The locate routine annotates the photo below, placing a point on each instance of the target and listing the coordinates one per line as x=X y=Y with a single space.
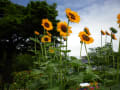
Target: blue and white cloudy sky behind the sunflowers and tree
x=97 y=15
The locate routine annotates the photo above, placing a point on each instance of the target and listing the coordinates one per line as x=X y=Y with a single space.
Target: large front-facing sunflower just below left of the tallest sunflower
x=62 y=27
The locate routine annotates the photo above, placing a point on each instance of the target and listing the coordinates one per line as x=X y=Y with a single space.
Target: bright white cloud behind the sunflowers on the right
x=95 y=17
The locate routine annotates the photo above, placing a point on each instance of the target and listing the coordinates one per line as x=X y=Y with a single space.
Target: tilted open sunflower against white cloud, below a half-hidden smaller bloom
x=85 y=38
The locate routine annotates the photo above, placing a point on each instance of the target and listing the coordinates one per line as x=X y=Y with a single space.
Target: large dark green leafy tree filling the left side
x=17 y=25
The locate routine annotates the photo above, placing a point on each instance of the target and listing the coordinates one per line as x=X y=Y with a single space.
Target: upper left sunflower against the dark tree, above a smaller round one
x=47 y=25
